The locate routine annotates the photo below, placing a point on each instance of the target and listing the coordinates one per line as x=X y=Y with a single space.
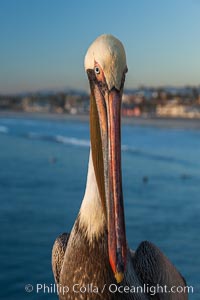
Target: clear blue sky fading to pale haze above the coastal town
x=43 y=42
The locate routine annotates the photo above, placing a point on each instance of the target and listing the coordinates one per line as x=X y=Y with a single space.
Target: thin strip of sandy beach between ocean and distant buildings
x=177 y=123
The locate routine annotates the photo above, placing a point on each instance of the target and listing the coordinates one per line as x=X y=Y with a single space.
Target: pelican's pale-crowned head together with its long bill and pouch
x=105 y=64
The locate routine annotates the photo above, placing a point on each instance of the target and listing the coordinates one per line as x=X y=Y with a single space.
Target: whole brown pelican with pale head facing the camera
x=94 y=261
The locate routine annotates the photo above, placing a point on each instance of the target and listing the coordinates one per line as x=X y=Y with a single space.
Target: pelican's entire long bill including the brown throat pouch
x=105 y=115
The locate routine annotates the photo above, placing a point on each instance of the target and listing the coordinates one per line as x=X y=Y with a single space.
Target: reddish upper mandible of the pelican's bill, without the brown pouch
x=116 y=226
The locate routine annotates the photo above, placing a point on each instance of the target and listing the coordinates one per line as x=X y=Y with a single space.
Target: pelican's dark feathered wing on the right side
x=154 y=268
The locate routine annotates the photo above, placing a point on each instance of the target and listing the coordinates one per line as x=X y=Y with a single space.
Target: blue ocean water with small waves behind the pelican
x=43 y=167
